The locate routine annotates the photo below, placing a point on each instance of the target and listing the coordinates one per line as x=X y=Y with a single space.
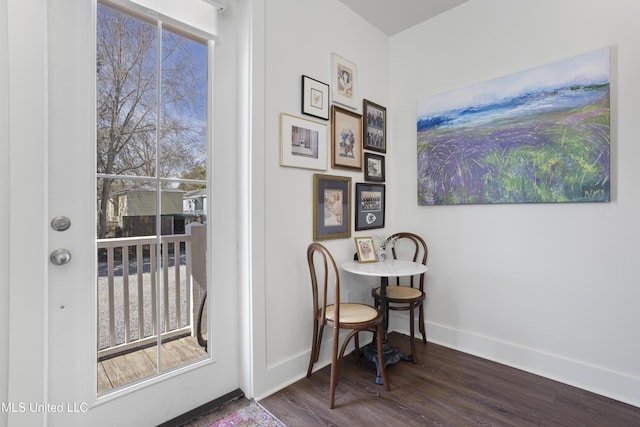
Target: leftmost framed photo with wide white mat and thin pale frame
x=303 y=143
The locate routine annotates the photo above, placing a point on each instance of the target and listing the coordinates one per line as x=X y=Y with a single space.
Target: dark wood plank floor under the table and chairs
x=448 y=388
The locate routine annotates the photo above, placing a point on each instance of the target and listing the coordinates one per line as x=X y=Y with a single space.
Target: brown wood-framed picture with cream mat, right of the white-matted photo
x=346 y=139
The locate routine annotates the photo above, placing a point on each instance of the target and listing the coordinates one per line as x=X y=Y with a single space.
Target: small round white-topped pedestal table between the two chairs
x=384 y=270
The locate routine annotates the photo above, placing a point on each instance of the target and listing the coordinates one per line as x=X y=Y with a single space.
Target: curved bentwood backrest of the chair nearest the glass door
x=324 y=272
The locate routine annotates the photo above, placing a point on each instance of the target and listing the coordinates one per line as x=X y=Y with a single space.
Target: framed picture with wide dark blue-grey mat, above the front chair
x=331 y=207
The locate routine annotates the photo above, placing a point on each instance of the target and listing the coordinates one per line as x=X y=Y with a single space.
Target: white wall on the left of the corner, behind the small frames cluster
x=299 y=39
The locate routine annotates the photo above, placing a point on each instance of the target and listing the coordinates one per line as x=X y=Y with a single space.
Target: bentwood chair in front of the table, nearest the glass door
x=325 y=282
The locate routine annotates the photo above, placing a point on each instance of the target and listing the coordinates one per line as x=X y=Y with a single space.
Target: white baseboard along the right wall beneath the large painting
x=604 y=381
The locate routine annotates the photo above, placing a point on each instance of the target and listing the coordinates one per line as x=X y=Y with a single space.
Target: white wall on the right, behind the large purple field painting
x=549 y=288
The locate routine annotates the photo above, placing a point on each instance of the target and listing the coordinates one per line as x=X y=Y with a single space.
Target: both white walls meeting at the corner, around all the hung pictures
x=548 y=288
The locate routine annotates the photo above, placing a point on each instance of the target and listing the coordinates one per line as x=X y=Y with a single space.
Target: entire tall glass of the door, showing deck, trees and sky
x=151 y=198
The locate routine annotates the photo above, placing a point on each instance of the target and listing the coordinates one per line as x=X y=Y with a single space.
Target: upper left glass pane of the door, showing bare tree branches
x=126 y=81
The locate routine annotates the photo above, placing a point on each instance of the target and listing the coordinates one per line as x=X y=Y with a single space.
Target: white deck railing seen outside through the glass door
x=130 y=314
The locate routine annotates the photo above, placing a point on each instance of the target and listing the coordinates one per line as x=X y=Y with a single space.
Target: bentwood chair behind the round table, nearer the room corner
x=408 y=295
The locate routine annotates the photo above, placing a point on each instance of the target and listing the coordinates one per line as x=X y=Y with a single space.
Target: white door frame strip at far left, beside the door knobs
x=27 y=237
